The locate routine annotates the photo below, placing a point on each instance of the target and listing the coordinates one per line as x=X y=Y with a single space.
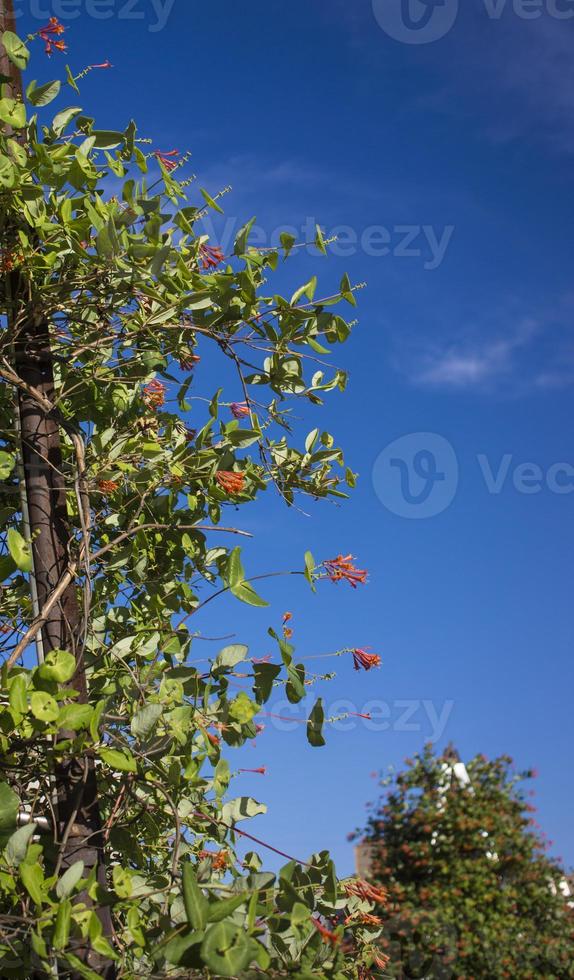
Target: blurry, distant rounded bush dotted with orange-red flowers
x=472 y=892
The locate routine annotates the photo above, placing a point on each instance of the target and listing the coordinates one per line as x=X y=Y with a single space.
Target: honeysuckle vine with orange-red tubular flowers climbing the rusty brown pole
x=107 y=247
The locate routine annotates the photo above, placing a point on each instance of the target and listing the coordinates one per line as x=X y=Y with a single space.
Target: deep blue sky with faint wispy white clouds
x=457 y=157
